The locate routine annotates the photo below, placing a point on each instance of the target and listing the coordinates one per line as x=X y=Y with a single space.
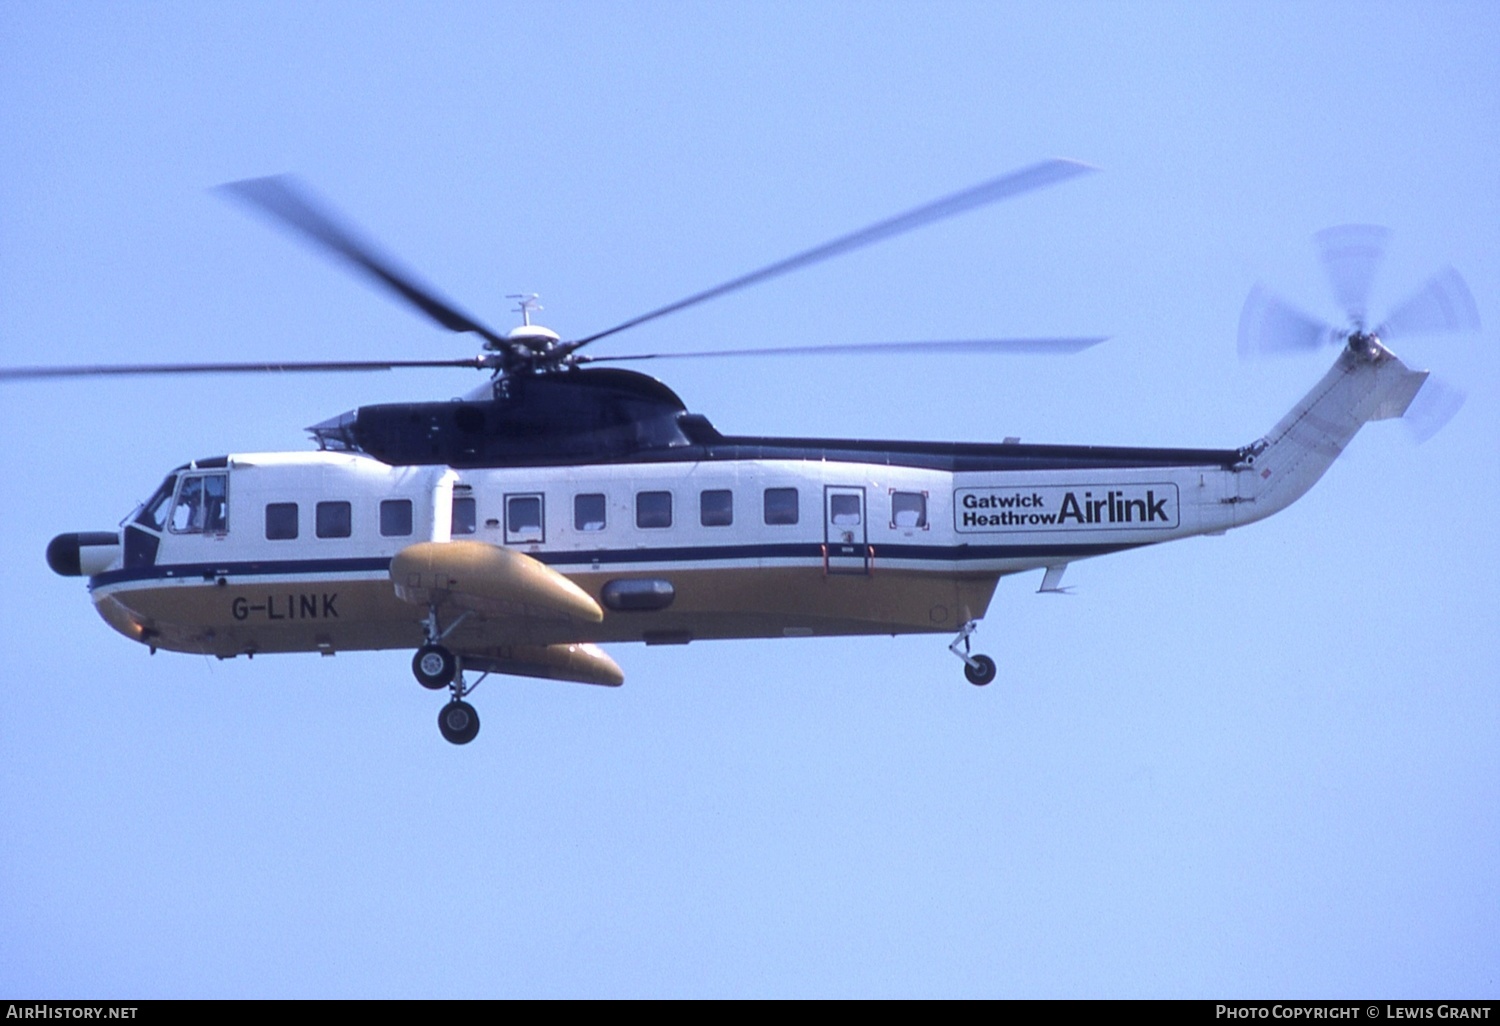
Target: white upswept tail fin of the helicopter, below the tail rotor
x=1367 y=383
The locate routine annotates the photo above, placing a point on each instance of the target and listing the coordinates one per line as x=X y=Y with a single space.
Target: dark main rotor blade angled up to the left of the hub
x=283 y=200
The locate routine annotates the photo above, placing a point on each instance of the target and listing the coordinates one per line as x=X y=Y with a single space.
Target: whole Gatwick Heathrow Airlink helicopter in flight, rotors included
x=566 y=503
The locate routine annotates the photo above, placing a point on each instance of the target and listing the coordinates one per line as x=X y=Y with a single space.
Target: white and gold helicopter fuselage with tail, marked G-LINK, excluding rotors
x=526 y=569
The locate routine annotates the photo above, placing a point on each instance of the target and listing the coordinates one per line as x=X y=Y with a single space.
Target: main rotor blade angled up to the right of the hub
x=1006 y=187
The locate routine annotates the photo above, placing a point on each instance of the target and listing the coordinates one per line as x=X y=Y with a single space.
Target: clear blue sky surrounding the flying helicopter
x=1262 y=764
